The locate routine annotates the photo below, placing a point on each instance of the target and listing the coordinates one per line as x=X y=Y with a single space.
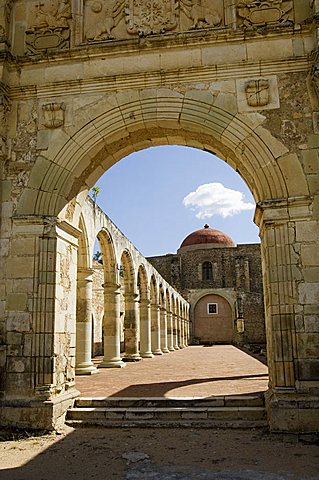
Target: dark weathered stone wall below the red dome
x=235 y=269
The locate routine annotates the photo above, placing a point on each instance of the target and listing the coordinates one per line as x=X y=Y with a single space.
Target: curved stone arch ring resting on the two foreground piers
x=75 y=161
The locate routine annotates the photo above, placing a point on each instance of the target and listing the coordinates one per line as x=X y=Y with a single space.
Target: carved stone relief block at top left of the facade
x=50 y=26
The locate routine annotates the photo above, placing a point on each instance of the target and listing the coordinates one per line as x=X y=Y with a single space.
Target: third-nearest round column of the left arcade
x=131 y=326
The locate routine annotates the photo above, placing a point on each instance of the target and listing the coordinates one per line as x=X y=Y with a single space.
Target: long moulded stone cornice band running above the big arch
x=156 y=78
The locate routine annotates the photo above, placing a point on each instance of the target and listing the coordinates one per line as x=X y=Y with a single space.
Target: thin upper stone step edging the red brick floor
x=218 y=401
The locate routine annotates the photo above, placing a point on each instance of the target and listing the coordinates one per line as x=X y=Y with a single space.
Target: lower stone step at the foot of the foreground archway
x=240 y=417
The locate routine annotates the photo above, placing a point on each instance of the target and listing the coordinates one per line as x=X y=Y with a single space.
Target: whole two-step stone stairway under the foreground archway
x=241 y=411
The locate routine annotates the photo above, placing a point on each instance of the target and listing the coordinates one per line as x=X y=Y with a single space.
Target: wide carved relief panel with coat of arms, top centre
x=125 y=18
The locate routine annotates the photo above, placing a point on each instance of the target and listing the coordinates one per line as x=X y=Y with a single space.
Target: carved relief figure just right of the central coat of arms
x=200 y=16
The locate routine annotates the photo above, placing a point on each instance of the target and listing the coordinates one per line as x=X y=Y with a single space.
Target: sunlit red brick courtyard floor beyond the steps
x=195 y=371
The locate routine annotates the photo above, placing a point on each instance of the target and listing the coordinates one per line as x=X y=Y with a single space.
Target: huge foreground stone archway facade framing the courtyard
x=69 y=125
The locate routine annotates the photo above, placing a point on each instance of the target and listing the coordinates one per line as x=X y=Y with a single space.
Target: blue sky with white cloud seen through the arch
x=159 y=195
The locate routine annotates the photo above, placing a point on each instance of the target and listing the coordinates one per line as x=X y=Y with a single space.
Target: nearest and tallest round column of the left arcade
x=83 y=350
